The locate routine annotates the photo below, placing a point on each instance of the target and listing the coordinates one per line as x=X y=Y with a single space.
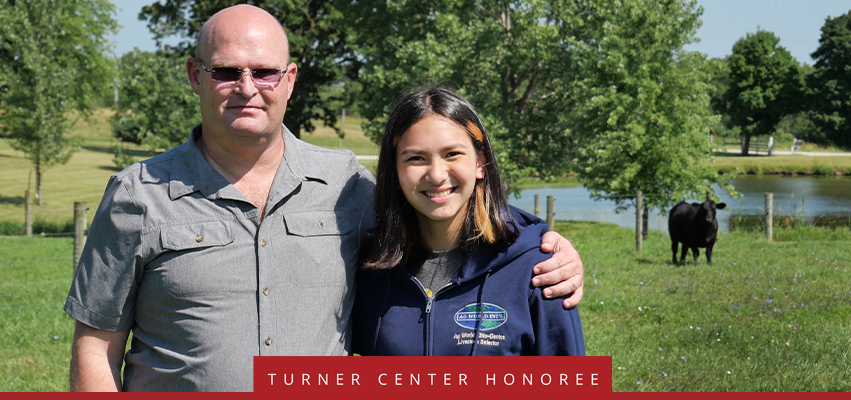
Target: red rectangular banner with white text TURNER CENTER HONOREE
x=428 y=377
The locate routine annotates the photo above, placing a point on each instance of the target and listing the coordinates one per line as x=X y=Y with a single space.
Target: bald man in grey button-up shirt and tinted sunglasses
x=243 y=241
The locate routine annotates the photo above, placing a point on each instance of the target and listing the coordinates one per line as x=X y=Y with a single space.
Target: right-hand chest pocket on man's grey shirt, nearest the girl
x=323 y=248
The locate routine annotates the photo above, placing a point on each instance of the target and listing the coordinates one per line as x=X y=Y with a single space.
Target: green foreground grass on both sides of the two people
x=765 y=317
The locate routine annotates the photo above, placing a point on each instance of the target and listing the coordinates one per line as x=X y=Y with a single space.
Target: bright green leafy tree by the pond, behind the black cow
x=641 y=112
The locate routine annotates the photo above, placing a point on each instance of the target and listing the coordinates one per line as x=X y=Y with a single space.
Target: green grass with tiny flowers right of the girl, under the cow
x=765 y=317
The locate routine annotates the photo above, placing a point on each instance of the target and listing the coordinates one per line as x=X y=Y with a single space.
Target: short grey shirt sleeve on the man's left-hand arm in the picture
x=103 y=290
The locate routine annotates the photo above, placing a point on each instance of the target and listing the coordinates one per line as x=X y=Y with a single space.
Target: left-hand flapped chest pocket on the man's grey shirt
x=199 y=258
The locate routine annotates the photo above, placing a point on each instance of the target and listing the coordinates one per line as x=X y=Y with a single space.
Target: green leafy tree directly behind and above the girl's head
x=506 y=57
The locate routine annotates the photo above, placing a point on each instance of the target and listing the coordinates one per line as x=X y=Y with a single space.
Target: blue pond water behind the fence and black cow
x=797 y=199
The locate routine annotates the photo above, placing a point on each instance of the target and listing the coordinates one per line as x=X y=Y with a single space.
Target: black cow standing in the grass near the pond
x=694 y=225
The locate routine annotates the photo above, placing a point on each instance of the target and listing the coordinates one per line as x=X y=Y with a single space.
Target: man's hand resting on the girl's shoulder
x=564 y=271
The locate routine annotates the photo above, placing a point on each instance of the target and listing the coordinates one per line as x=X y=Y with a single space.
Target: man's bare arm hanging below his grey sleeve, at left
x=96 y=359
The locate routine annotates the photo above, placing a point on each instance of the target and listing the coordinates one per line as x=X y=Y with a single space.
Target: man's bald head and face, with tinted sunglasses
x=241 y=111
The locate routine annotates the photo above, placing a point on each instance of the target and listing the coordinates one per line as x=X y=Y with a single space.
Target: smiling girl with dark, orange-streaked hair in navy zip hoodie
x=449 y=271
